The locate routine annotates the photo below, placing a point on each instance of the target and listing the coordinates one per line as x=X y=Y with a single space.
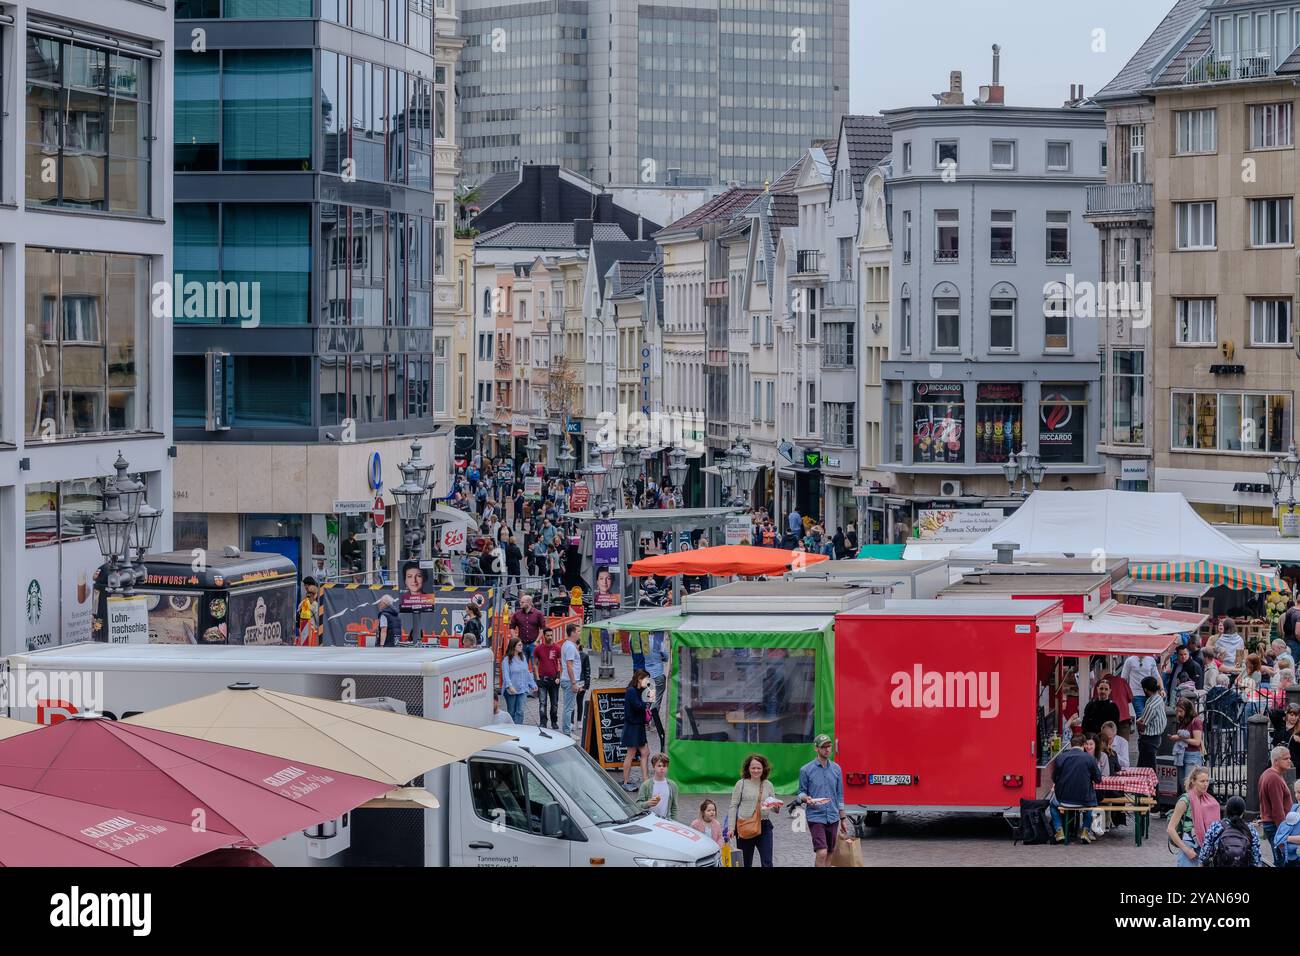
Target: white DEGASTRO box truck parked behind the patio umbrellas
x=539 y=801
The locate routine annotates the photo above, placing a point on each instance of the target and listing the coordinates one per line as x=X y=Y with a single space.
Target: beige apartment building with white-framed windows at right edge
x=1223 y=343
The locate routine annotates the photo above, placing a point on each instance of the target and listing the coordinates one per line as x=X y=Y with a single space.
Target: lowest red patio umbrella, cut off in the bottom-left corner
x=42 y=830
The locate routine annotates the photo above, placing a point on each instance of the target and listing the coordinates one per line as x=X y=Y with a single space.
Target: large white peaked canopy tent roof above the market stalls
x=1139 y=526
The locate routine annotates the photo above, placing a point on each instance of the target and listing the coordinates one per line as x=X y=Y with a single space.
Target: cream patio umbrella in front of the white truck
x=378 y=745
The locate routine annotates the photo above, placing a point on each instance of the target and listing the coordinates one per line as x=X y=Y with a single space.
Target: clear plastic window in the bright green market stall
x=747 y=695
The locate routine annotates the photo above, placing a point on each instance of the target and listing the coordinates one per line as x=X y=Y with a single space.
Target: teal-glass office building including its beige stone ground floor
x=309 y=246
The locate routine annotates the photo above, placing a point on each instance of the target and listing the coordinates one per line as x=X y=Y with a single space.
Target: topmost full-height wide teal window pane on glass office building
x=267 y=111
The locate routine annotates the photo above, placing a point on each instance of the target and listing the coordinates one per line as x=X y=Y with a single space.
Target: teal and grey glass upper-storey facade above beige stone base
x=266 y=128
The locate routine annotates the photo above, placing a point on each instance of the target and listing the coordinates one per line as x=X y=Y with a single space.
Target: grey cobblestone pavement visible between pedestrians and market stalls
x=922 y=840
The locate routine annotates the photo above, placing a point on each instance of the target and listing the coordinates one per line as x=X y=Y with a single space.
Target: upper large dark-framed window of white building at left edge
x=89 y=129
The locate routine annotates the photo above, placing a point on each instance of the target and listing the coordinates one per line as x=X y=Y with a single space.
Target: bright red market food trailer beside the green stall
x=951 y=704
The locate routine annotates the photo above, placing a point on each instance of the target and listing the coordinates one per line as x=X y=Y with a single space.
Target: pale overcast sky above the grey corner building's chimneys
x=902 y=51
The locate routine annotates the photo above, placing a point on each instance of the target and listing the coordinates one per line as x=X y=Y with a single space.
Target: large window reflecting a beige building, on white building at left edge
x=88 y=340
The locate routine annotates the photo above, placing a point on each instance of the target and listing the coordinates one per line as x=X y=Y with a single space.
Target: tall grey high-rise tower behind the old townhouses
x=708 y=92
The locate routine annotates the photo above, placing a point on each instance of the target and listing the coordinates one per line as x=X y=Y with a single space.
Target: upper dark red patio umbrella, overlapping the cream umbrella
x=249 y=798
